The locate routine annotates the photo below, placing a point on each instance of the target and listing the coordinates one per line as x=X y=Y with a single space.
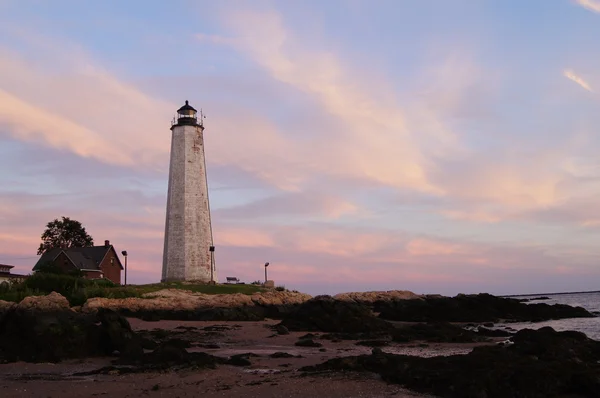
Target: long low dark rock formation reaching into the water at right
x=476 y=308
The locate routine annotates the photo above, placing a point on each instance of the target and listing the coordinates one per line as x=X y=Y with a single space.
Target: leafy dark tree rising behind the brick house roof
x=64 y=233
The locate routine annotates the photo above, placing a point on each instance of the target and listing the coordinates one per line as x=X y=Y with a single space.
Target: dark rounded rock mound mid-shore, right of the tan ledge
x=323 y=313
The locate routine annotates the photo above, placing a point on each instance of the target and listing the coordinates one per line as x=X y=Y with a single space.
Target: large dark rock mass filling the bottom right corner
x=541 y=363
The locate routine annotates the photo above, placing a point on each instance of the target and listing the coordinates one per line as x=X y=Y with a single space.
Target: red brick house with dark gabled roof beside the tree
x=95 y=262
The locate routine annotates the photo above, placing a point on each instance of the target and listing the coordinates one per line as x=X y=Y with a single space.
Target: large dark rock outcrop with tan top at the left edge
x=43 y=329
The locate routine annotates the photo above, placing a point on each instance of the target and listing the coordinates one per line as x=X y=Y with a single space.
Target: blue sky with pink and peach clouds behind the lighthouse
x=426 y=145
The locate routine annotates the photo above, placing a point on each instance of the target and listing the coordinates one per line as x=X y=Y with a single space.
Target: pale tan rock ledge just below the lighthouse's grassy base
x=186 y=305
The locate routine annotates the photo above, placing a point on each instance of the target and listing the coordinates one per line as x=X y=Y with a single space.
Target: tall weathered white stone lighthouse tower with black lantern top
x=188 y=252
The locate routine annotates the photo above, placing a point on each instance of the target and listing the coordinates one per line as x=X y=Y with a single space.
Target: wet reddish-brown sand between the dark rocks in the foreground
x=266 y=377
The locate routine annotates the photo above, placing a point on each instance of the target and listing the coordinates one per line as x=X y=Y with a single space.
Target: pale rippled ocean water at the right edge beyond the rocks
x=590 y=301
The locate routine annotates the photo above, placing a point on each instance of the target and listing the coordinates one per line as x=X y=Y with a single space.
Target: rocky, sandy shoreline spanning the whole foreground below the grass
x=371 y=344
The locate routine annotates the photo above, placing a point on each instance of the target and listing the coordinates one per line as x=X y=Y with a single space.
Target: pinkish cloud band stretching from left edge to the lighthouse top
x=85 y=110
